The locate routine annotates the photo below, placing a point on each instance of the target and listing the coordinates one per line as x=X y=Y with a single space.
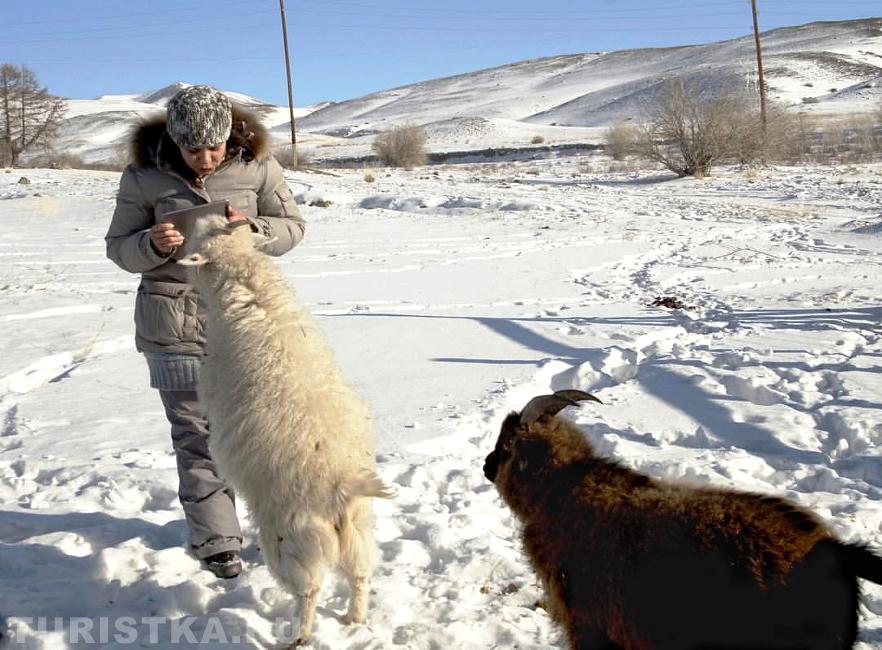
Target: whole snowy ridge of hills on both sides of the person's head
x=825 y=67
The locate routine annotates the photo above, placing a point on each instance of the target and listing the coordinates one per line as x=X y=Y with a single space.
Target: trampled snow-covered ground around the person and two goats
x=451 y=296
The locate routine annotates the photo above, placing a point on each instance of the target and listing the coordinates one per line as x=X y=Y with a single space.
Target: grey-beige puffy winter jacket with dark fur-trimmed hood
x=168 y=313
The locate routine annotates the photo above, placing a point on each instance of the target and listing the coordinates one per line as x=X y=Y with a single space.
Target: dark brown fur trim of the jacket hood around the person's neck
x=150 y=145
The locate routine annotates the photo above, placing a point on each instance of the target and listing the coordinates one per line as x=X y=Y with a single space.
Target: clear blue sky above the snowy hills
x=346 y=48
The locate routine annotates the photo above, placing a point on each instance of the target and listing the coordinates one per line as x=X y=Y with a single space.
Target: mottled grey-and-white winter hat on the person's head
x=199 y=116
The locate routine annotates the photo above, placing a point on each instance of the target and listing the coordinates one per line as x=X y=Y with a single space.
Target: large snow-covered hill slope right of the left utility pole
x=590 y=90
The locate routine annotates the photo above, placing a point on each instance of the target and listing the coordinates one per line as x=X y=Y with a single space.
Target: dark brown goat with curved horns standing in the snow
x=628 y=561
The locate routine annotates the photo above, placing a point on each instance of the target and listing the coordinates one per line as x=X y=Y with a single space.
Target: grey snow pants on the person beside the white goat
x=208 y=503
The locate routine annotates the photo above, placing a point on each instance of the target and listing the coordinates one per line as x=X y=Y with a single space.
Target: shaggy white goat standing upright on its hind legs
x=287 y=432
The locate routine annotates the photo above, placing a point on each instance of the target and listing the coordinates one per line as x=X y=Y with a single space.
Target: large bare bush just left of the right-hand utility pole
x=689 y=130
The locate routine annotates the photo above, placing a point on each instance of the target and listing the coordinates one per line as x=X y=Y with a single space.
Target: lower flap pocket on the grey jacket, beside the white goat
x=160 y=312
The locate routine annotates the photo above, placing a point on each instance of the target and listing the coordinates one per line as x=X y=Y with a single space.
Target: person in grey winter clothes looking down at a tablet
x=204 y=149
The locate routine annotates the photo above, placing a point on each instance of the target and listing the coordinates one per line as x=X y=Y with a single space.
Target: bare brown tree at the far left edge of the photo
x=29 y=115
